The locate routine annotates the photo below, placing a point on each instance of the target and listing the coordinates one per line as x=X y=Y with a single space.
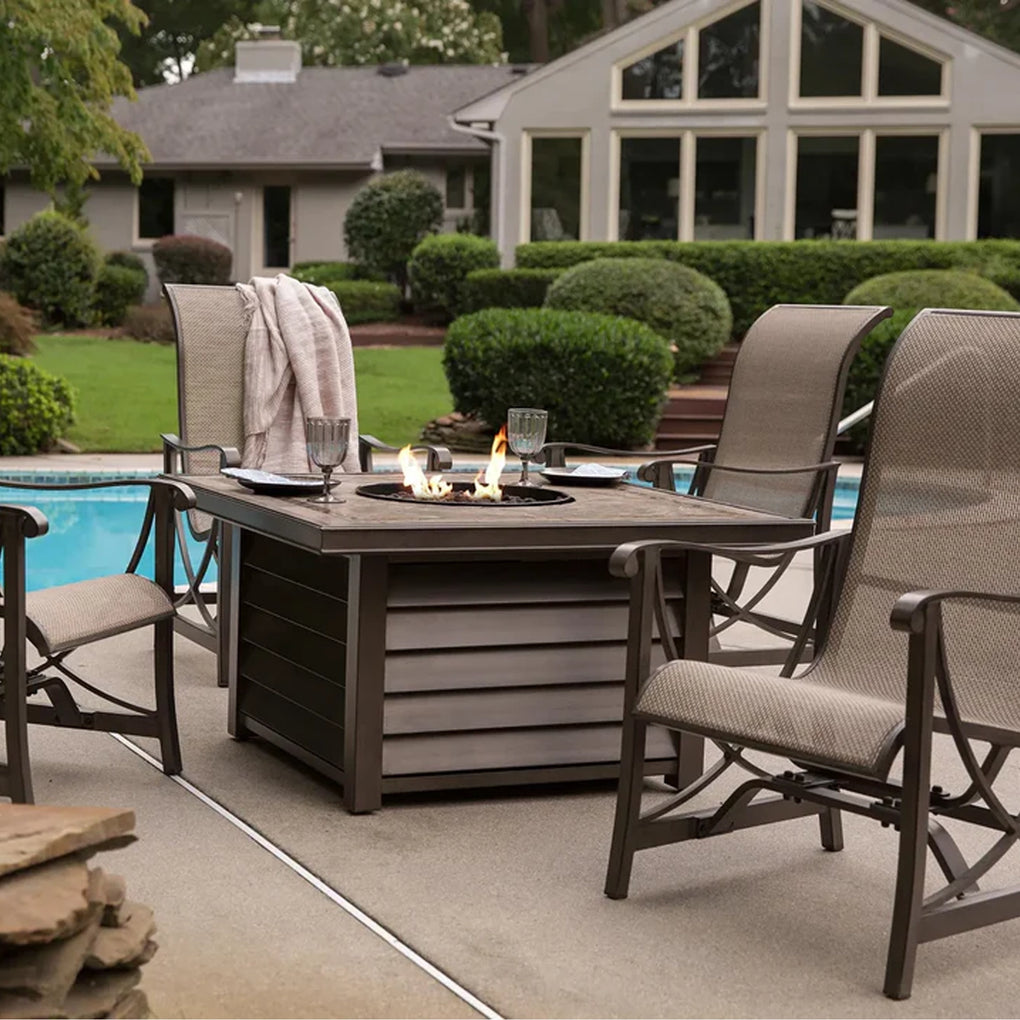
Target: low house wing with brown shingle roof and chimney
x=267 y=157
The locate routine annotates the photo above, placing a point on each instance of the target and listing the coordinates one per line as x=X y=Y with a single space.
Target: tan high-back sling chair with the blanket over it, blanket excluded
x=211 y=334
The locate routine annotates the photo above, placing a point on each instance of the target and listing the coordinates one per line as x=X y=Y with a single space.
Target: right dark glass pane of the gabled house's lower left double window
x=725 y=189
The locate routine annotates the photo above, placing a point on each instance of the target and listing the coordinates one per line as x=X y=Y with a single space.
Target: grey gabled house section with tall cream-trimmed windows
x=769 y=120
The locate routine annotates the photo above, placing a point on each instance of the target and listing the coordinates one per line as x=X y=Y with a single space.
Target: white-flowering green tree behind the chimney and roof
x=369 y=32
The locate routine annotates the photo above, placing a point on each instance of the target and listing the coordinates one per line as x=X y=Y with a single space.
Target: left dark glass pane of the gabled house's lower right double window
x=827 y=187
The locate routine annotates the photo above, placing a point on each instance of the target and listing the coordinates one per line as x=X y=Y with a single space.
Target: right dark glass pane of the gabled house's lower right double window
x=906 y=185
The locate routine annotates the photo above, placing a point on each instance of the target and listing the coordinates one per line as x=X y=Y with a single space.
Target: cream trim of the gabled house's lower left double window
x=687 y=171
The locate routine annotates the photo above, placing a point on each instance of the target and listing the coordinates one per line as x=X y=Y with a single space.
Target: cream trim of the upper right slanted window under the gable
x=869 y=97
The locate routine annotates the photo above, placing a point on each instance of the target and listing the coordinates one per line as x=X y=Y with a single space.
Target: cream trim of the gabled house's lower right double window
x=868 y=148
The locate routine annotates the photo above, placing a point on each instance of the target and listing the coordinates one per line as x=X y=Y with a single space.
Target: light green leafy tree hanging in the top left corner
x=60 y=73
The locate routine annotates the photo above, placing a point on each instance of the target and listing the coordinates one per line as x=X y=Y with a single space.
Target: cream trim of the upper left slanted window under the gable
x=690 y=100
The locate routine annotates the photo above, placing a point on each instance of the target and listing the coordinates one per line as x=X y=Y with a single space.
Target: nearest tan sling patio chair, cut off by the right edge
x=926 y=639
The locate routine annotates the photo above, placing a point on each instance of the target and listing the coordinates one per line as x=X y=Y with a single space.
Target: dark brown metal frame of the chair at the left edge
x=19 y=683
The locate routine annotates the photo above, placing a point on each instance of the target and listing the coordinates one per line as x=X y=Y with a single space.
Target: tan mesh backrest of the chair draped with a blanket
x=211 y=329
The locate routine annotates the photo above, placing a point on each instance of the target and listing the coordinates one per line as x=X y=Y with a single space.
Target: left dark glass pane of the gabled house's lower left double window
x=650 y=189
